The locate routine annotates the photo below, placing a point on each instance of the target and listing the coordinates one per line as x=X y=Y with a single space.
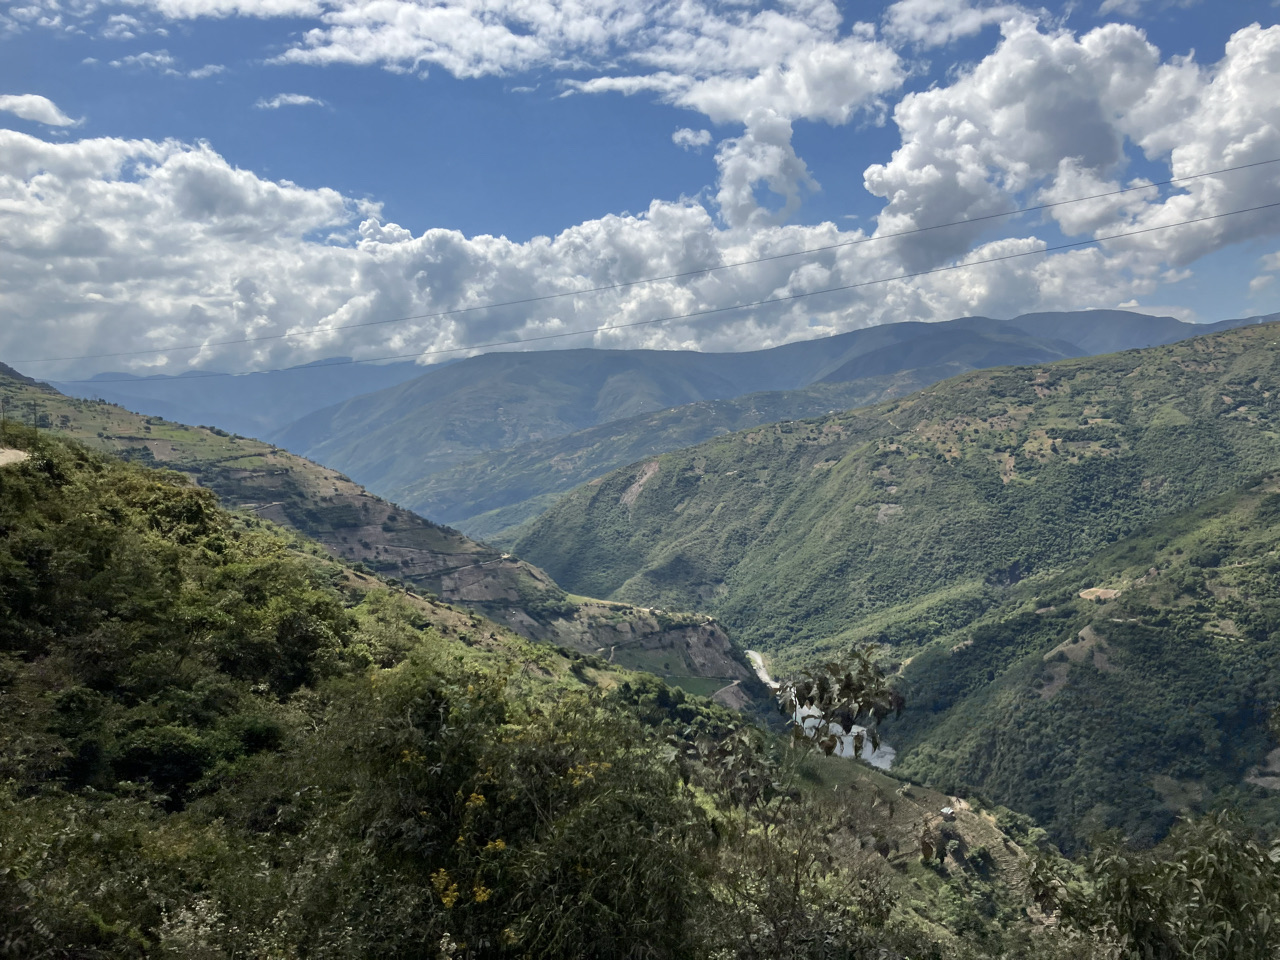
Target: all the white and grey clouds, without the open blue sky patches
x=122 y=246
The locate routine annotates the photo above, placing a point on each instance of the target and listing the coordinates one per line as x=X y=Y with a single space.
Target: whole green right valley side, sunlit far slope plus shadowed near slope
x=958 y=528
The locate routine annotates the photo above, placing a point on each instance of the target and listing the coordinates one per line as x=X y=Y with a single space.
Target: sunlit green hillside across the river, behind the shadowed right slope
x=801 y=532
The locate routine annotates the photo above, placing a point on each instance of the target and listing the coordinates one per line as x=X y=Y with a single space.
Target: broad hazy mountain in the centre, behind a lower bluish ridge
x=397 y=437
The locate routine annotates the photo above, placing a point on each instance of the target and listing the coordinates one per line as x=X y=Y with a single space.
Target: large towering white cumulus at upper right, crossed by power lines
x=1046 y=117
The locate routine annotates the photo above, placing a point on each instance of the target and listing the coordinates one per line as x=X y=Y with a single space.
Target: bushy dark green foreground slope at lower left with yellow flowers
x=217 y=740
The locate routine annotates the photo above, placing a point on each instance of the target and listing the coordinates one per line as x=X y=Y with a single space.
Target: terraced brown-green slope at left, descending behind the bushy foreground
x=353 y=524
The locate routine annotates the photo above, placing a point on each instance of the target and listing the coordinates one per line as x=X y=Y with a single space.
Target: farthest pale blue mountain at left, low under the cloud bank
x=254 y=405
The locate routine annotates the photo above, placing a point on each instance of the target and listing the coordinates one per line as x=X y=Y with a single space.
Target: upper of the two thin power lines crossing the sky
x=624 y=285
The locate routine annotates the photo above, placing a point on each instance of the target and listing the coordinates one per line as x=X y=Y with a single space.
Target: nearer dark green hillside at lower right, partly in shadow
x=1123 y=692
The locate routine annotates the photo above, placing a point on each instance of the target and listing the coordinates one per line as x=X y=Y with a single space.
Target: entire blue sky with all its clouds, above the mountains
x=181 y=173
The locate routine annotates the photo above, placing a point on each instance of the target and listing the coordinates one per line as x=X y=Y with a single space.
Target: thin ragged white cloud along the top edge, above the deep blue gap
x=721 y=58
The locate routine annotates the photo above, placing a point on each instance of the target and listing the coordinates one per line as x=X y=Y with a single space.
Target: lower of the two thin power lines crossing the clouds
x=711 y=312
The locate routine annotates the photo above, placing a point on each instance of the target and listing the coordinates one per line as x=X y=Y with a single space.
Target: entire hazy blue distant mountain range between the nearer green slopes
x=486 y=444
